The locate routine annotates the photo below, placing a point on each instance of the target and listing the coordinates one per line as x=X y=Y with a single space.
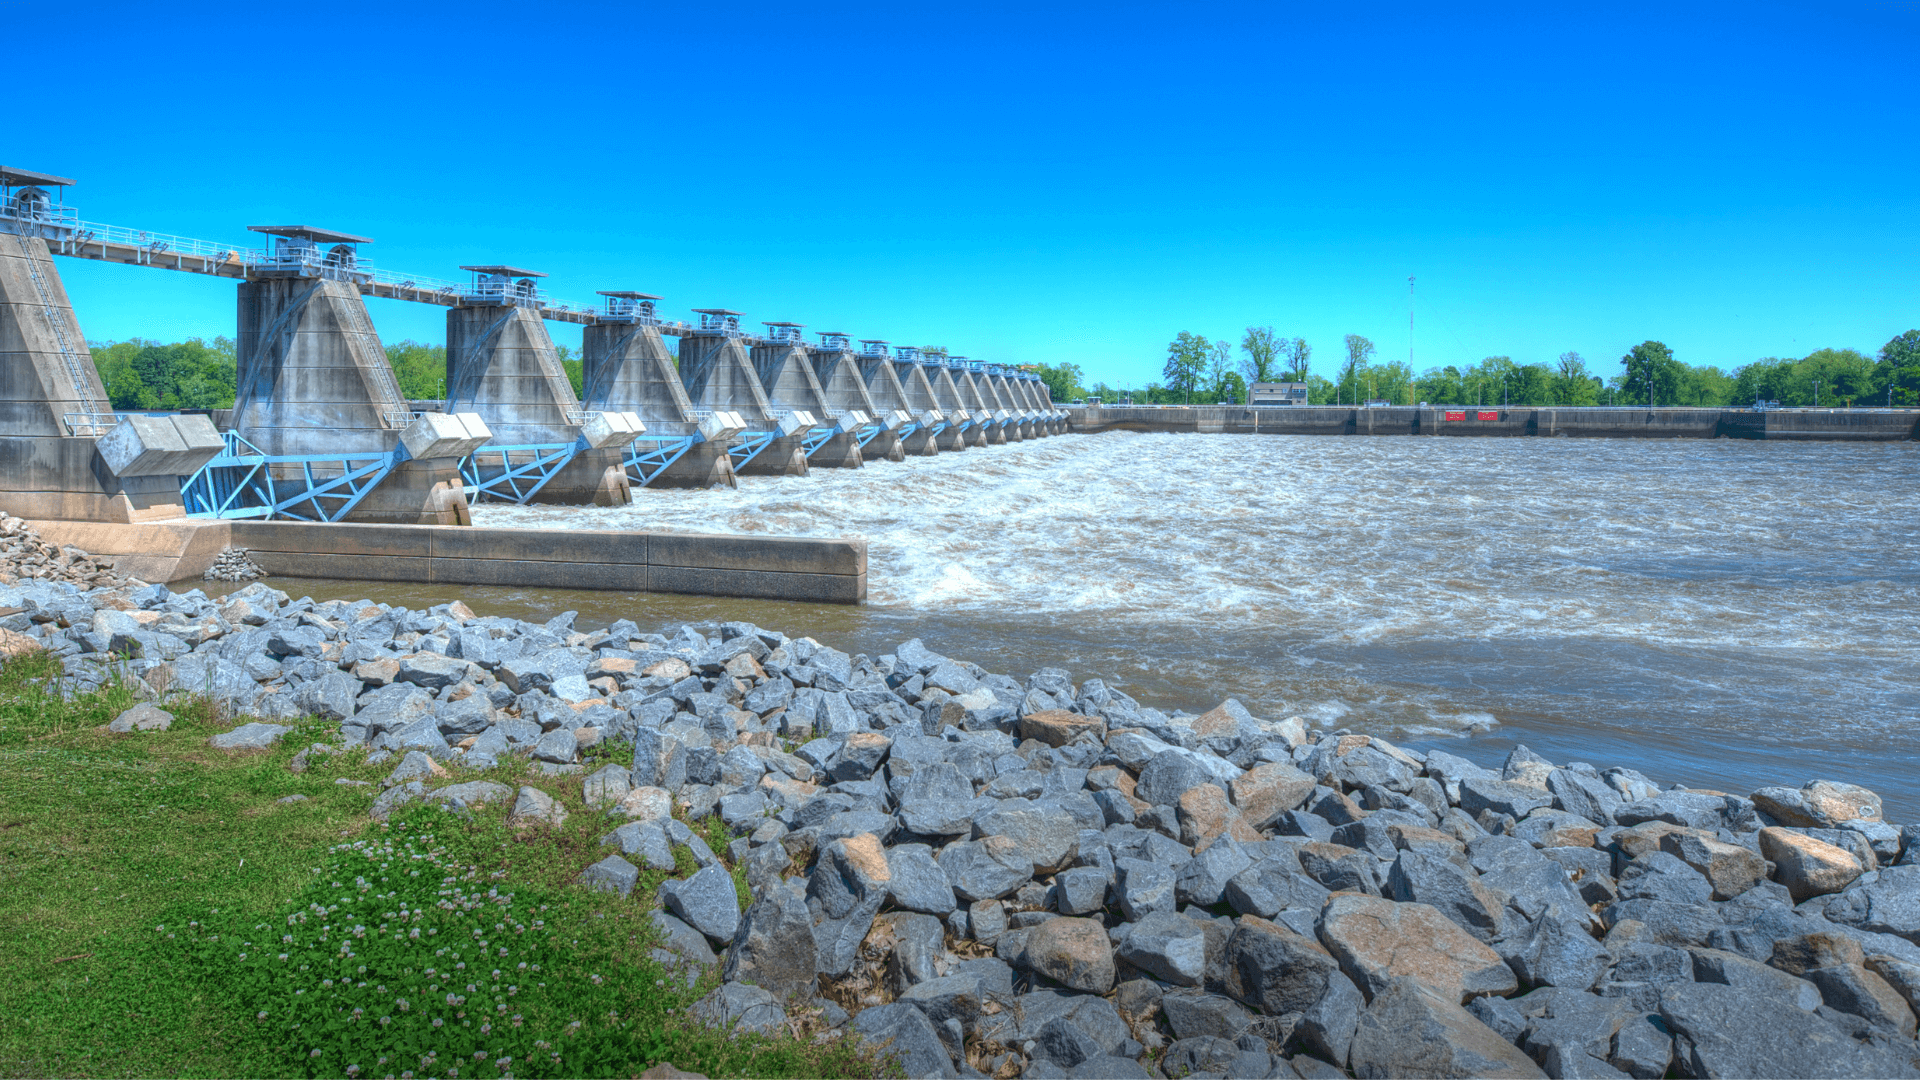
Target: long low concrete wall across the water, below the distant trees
x=1614 y=422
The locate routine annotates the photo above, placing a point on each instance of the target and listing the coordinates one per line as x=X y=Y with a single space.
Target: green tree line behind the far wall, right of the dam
x=1212 y=372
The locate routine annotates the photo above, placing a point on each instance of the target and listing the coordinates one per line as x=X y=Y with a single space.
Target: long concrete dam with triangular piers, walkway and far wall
x=322 y=435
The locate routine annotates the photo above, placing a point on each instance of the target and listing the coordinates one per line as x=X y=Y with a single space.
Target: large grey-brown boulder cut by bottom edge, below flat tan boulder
x=1412 y=1029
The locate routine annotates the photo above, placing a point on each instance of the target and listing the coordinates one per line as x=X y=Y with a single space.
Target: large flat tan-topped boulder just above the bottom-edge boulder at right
x=1380 y=941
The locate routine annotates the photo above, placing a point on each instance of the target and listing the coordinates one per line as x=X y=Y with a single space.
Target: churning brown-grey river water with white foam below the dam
x=1721 y=614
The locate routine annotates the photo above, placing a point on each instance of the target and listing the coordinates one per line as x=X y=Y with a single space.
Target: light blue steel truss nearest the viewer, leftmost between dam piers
x=304 y=487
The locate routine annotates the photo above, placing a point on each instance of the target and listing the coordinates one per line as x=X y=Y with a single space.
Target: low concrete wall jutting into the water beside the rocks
x=765 y=568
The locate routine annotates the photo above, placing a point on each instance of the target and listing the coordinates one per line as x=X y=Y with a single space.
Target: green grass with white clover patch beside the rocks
x=151 y=885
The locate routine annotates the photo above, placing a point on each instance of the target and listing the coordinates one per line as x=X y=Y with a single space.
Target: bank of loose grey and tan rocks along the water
x=1049 y=879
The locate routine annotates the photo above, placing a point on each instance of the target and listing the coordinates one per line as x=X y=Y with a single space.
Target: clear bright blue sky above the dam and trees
x=1030 y=184
